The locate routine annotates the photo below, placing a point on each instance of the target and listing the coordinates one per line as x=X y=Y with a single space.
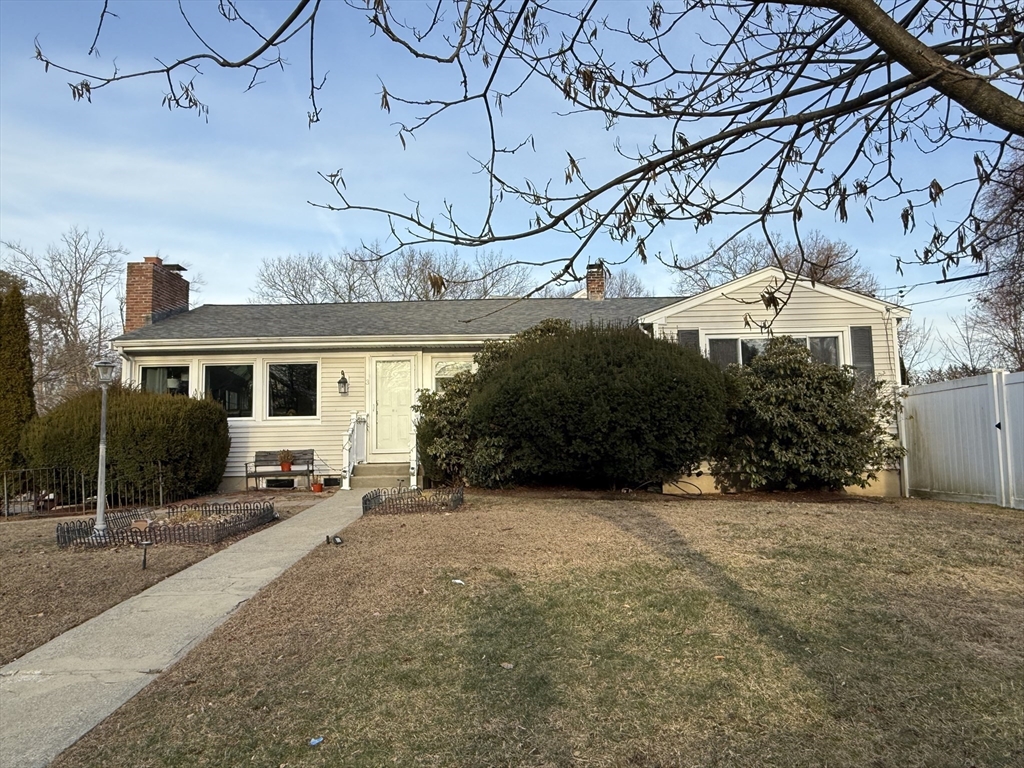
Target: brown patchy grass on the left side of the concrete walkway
x=46 y=591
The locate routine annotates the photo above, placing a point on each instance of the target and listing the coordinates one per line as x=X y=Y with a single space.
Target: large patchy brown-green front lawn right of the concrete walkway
x=646 y=632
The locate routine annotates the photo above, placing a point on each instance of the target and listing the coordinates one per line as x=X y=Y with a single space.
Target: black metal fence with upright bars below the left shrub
x=55 y=491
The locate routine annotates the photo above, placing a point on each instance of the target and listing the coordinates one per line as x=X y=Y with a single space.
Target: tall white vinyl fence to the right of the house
x=965 y=440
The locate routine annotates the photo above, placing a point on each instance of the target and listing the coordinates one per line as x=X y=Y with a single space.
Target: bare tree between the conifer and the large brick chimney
x=72 y=308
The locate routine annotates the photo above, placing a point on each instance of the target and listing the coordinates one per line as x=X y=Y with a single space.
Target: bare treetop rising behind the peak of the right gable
x=823 y=260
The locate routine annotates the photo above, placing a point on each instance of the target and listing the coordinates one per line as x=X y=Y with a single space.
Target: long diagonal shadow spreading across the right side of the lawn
x=882 y=672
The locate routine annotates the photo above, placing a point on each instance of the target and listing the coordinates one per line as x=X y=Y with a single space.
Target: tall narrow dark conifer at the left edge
x=18 y=401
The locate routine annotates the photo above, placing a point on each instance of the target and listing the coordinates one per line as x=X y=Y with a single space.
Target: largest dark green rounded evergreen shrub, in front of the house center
x=591 y=407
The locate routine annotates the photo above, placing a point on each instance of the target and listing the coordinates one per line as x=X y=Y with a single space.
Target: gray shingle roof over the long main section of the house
x=426 y=319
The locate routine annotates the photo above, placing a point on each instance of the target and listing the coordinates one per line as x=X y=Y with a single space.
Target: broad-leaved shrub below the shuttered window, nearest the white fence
x=795 y=423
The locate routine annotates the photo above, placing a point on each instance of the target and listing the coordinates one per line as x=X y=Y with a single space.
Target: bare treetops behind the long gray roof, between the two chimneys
x=411 y=275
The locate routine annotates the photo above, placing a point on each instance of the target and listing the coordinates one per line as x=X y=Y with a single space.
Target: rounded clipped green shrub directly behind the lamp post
x=184 y=441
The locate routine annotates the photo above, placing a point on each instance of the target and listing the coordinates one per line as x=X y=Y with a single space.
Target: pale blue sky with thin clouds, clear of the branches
x=225 y=194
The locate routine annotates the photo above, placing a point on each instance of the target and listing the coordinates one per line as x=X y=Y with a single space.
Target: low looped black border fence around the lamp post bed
x=197 y=524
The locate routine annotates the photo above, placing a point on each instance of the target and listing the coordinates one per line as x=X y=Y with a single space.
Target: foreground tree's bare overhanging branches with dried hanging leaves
x=735 y=111
